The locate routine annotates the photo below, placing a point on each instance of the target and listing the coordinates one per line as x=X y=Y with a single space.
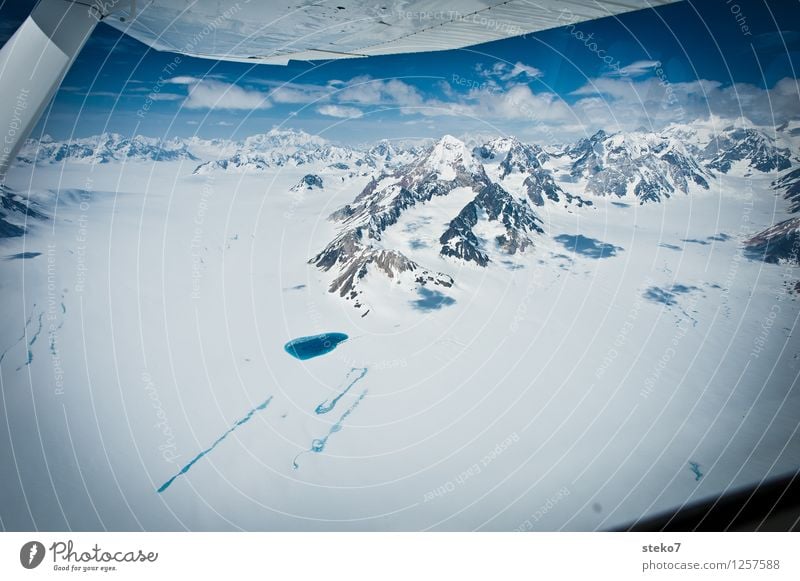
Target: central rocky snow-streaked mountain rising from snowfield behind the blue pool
x=448 y=169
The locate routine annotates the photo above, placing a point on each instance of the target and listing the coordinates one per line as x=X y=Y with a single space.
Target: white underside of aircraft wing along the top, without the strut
x=271 y=32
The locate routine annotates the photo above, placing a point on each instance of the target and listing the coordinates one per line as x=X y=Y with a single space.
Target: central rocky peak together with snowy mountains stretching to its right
x=507 y=178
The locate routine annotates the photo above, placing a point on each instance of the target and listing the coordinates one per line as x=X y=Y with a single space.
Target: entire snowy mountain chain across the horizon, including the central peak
x=496 y=187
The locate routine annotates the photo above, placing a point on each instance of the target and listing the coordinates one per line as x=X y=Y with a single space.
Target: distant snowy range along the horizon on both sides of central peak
x=649 y=165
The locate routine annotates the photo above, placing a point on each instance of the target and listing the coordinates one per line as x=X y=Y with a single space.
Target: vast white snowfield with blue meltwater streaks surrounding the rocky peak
x=144 y=318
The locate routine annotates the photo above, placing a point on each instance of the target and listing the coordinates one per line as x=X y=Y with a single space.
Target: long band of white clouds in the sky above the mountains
x=508 y=103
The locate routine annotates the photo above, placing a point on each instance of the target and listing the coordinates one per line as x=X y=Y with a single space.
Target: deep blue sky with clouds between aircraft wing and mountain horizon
x=675 y=63
